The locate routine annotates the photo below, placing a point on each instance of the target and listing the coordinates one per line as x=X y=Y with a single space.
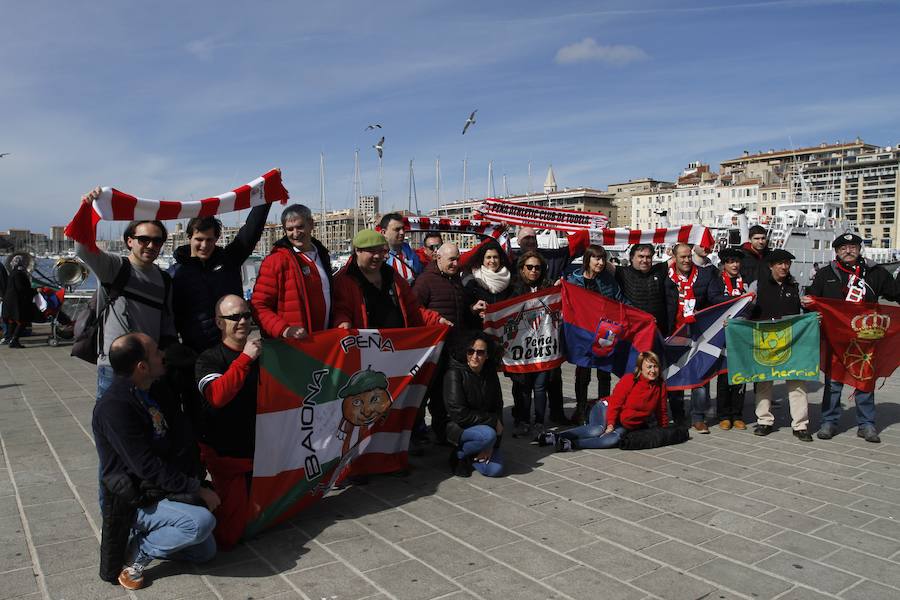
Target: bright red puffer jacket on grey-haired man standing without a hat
x=281 y=296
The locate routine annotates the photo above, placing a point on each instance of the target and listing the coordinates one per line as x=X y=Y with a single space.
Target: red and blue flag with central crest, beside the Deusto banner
x=601 y=333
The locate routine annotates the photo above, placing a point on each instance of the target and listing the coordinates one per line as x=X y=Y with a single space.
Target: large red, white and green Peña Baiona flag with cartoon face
x=340 y=398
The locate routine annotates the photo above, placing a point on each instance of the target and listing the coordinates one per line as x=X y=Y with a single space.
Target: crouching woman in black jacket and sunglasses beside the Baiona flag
x=474 y=408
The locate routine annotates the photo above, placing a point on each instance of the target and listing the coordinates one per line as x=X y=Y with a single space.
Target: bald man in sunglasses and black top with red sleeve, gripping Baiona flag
x=227 y=375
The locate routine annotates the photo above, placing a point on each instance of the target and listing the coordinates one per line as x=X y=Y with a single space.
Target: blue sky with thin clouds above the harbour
x=182 y=100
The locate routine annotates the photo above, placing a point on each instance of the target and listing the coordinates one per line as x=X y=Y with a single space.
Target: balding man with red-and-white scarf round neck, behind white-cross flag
x=687 y=291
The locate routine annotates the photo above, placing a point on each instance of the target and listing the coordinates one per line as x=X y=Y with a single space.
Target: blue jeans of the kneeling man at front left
x=176 y=531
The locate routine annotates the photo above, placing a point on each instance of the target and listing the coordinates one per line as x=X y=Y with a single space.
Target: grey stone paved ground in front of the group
x=728 y=515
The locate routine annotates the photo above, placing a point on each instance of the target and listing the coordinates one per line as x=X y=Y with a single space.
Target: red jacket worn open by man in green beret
x=349 y=305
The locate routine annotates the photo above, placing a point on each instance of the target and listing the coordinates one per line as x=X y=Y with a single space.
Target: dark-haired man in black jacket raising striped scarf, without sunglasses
x=204 y=272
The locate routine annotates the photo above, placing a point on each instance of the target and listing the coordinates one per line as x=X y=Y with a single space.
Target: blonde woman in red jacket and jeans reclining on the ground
x=634 y=403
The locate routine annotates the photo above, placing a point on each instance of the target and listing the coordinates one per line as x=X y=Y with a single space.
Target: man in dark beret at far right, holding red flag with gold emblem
x=849 y=277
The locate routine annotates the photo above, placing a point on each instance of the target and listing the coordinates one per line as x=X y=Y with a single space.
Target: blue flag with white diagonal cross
x=695 y=352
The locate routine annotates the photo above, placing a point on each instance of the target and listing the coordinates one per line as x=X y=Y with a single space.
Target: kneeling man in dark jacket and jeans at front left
x=149 y=461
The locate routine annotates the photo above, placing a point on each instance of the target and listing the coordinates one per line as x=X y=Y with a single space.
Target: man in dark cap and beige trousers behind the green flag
x=778 y=296
